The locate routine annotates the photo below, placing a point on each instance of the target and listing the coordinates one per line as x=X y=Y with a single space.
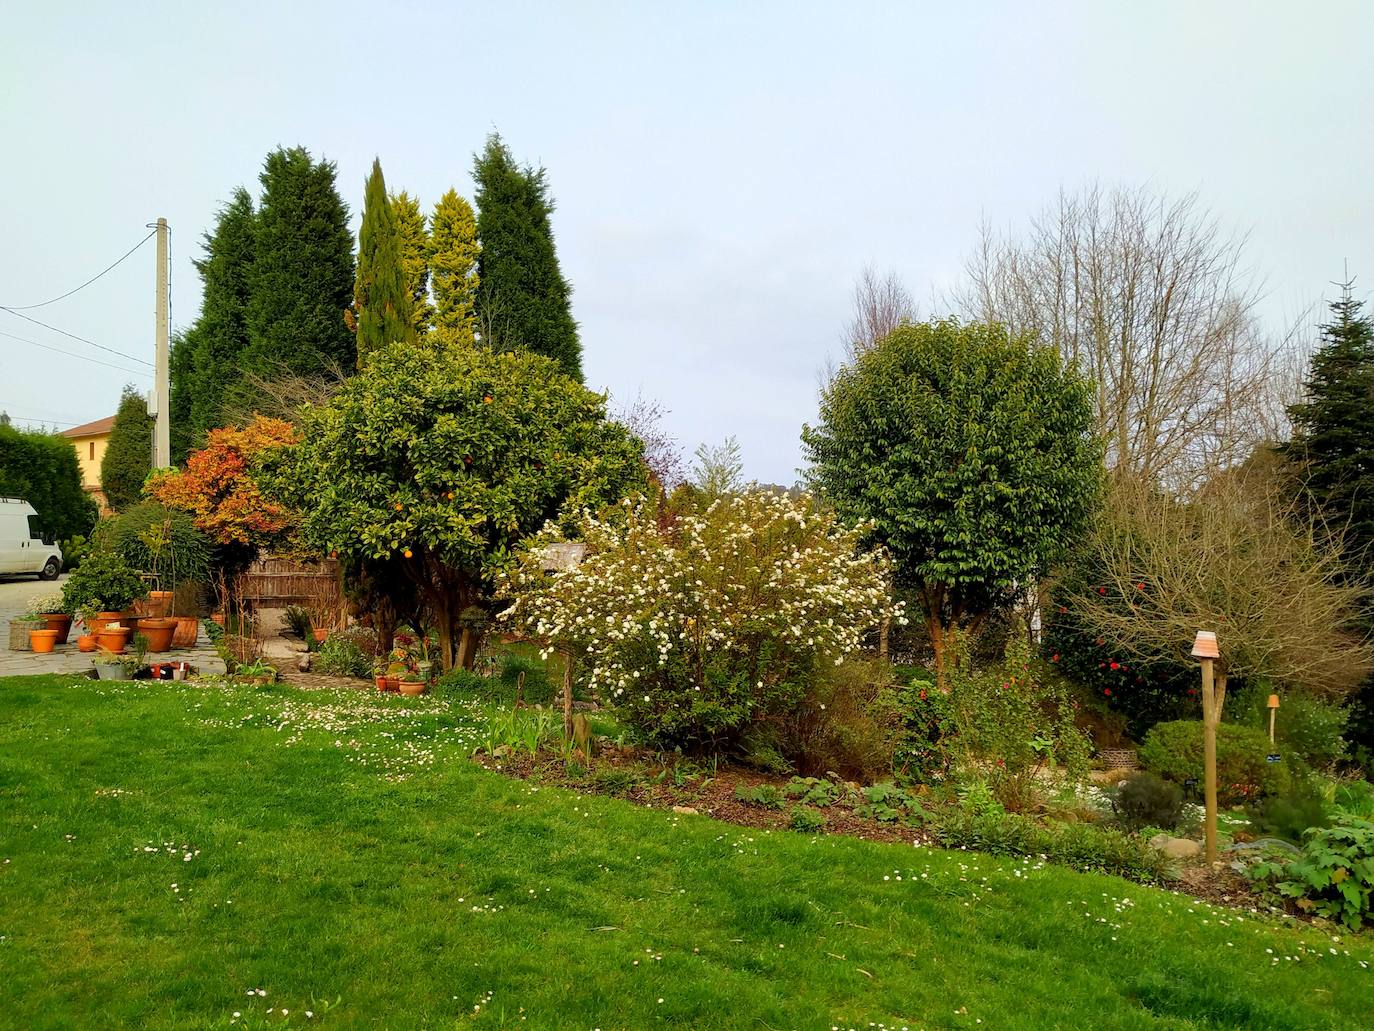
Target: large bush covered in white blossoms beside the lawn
x=711 y=623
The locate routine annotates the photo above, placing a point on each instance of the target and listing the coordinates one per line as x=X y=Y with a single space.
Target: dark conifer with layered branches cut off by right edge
x=1333 y=438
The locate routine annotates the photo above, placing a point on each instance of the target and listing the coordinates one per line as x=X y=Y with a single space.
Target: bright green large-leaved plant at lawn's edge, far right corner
x=1333 y=878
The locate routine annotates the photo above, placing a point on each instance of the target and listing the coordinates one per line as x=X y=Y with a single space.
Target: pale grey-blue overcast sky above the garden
x=722 y=171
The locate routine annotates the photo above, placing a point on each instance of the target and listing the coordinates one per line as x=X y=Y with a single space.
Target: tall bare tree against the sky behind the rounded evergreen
x=1155 y=304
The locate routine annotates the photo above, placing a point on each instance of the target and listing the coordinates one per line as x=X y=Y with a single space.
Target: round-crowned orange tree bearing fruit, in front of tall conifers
x=440 y=460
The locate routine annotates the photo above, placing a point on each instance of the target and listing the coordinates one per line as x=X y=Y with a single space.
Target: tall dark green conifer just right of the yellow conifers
x=524 y=300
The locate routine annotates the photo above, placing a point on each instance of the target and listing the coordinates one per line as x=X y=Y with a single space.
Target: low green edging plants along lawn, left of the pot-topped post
x=1081 y=846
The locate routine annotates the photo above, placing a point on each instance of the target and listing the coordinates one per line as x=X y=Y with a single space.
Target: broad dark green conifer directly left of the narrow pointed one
x=302 y=278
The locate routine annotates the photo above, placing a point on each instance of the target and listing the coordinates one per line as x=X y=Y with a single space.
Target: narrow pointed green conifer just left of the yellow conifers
x=381 y=302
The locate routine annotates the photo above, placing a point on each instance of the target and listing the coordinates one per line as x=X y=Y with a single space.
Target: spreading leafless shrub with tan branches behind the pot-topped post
x=1236 y=557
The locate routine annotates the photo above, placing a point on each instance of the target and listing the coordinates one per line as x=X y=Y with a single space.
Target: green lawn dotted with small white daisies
x=174 y=856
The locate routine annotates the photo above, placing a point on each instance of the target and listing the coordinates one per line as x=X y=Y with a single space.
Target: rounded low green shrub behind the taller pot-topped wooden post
x=1175 y=751
